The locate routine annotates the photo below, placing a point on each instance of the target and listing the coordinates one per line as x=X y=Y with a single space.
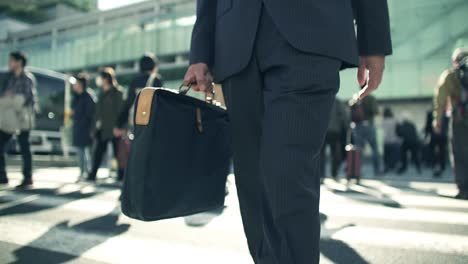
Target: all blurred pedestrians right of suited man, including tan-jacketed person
x=354 y=124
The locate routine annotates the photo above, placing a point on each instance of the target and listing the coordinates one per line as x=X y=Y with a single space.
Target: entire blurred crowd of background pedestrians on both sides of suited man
x=104 y=120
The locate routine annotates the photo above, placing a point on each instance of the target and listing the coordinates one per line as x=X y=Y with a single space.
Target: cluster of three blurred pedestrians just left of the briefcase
x=107 y=120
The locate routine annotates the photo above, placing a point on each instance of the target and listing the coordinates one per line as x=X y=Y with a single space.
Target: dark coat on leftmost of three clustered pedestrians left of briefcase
x=84 y=109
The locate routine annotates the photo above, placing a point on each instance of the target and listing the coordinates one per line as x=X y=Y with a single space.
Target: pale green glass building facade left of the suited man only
x=106 y=38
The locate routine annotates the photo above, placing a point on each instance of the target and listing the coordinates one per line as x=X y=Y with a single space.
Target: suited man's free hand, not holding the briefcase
x=370 y=70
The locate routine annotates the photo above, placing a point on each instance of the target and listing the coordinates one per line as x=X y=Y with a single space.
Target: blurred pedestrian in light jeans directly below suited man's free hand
x=364 y=132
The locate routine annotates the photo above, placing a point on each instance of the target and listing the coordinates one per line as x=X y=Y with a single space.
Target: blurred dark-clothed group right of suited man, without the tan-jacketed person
x=402 y=140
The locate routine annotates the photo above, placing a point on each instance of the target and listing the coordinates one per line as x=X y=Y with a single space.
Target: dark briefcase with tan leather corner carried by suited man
x=179 y=159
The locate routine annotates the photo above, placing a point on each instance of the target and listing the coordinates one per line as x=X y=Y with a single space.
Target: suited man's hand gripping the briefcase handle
x=198 y=75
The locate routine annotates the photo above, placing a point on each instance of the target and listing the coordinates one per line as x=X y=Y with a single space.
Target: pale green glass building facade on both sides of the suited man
x=424 y=34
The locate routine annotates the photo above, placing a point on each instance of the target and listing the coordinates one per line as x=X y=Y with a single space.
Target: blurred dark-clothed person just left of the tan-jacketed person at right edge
x=437 y=146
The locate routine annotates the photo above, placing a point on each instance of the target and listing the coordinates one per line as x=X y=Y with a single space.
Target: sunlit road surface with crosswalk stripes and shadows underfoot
x=391 y=220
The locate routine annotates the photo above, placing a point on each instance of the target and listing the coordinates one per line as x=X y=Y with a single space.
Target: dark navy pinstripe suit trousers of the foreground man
x=279 y=107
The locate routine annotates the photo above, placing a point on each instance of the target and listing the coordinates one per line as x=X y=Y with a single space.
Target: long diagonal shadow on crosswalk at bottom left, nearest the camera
x=99 y=230
